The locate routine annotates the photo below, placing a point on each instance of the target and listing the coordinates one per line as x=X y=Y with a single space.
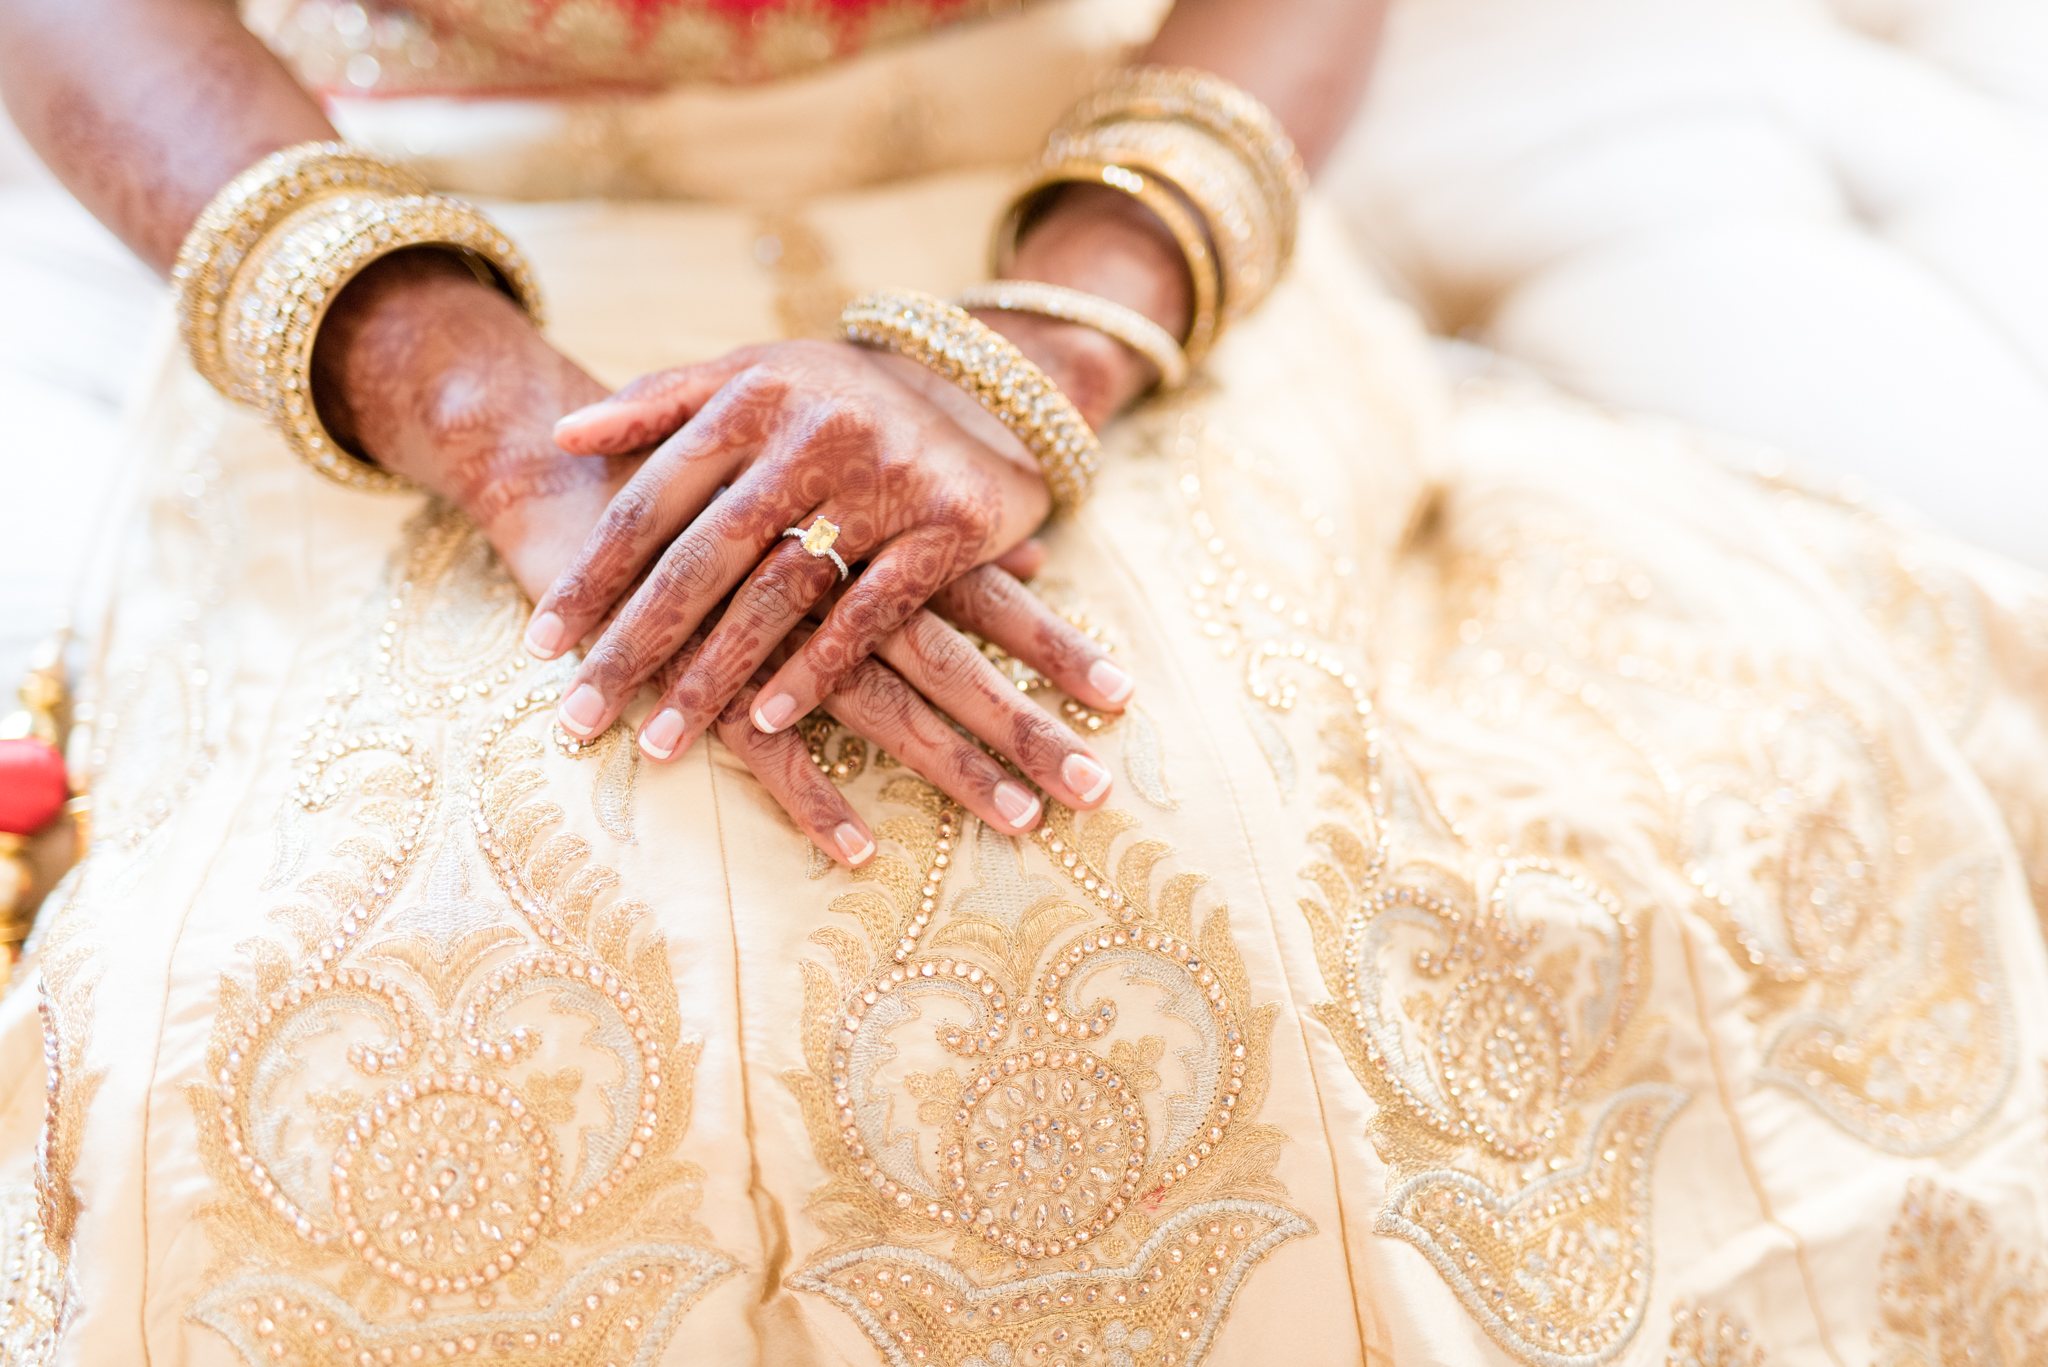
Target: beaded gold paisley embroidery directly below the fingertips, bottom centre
x=1046 y=1204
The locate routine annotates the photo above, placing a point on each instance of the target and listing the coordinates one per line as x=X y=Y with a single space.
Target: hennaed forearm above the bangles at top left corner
x=148 y=108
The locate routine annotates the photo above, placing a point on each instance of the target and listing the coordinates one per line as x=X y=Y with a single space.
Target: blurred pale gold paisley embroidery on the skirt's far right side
x=1859 y=905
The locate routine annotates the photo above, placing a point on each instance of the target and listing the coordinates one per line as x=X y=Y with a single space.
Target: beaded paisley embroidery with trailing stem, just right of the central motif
x=1488 y=1003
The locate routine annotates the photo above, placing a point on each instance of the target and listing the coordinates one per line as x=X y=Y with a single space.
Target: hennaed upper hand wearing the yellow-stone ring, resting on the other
x=919 y=479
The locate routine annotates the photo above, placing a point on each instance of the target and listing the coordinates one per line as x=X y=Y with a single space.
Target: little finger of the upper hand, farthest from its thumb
x=894 y=587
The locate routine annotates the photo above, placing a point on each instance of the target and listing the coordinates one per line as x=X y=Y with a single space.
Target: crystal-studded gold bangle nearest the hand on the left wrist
x=278 y=304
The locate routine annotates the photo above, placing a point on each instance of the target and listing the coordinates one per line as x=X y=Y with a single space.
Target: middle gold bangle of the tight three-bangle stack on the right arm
x=1222 y=188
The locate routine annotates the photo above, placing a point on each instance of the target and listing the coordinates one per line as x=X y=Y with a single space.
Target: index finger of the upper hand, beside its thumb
x=663 y=497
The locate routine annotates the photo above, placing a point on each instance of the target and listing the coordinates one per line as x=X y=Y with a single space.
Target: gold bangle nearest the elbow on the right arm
x=1218 y=108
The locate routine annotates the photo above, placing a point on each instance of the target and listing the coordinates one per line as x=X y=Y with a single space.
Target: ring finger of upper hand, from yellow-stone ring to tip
x=779 y=595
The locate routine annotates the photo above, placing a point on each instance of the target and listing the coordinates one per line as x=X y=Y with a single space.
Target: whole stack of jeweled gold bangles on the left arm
x=271 y=253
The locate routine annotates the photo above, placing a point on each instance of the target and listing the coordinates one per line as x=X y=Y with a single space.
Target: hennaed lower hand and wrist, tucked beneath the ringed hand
x=445 y=382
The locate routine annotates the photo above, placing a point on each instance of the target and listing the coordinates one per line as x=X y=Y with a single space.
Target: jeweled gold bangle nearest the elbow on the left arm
x=239 y=218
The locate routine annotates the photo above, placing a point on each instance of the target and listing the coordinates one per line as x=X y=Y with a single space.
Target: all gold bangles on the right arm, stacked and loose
x=1209 y=163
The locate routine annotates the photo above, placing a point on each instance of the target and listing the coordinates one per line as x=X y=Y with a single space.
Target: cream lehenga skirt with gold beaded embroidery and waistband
x=1570 y=893
